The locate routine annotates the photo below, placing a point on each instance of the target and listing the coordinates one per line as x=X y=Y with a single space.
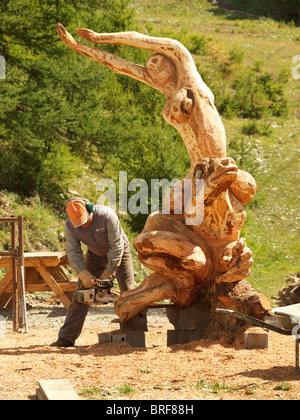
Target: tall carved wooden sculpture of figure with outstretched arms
x=207 y=259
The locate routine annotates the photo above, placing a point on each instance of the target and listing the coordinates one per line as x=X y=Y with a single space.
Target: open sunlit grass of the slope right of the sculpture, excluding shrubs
x=272 y=226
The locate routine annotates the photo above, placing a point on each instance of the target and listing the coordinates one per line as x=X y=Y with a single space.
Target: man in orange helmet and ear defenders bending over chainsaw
x=108 y=257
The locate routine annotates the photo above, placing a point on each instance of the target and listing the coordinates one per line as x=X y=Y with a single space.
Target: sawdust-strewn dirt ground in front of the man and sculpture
x=196 y=371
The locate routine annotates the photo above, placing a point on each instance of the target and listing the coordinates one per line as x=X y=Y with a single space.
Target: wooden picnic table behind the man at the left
x=43 y=272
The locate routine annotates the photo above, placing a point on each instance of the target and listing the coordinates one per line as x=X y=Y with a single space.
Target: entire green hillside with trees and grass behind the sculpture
x=67 y=122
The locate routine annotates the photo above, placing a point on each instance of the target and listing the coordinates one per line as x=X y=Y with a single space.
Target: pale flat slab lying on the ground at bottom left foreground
x=56 y=389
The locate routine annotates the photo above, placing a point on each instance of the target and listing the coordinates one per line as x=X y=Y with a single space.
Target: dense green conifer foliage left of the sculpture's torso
x=59 y=109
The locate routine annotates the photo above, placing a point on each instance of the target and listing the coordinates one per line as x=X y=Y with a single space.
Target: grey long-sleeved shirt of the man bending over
x=104 y=237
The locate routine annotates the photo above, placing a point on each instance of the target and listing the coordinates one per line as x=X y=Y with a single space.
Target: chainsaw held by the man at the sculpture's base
x=100 y=294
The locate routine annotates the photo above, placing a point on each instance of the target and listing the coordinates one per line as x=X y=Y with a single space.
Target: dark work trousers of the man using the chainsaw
x=77 y=311
